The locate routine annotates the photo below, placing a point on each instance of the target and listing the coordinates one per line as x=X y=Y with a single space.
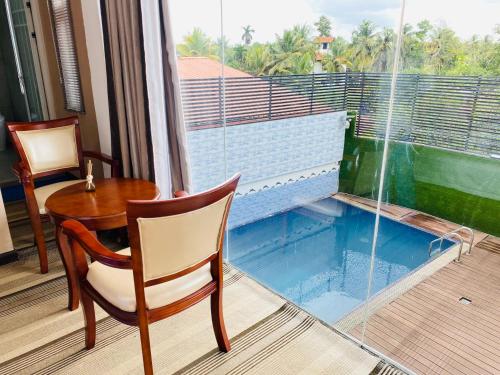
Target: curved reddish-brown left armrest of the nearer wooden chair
x=78 y=232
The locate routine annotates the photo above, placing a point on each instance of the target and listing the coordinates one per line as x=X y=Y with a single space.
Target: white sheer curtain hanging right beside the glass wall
x=165 y=109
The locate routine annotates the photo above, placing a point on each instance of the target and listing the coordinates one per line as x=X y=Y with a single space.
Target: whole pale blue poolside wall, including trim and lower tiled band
x=282 y=163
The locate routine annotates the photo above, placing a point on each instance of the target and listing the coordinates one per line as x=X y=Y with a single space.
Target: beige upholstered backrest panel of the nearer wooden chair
x=173 y=243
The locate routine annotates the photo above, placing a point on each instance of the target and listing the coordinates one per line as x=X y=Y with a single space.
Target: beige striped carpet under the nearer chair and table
x=268 y=335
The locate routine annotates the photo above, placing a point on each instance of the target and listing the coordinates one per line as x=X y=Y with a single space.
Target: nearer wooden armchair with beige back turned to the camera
x=174 y=261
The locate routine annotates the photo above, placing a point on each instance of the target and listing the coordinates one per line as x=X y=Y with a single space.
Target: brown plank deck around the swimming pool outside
x=427 y=329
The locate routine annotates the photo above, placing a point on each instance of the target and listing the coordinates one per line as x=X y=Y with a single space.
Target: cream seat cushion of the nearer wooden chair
x=117 y=285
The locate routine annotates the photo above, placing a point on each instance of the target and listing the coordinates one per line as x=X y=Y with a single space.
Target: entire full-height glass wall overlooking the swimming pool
x=366 y=137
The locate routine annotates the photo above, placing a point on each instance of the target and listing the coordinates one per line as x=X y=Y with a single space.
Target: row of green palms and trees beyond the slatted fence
x=425 y=48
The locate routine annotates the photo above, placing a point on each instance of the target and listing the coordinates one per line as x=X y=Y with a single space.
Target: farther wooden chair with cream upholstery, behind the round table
x=48 y=148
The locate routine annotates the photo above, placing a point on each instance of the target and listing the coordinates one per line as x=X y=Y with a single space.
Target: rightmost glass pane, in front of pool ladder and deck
x=441 y=169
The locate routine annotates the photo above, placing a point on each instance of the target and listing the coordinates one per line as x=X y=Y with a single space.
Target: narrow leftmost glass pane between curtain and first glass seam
x=197 y=32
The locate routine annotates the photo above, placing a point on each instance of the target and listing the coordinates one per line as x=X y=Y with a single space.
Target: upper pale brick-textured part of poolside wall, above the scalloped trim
x=268 y=149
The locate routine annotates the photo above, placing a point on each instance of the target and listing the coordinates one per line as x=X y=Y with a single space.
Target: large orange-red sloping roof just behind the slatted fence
x=203 y=104
